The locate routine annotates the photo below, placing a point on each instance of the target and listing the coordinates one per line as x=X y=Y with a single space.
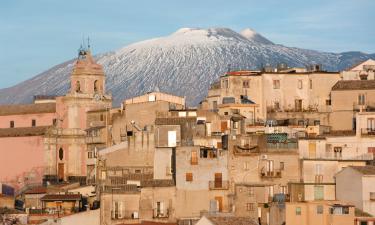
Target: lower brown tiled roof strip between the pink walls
x=23 y=131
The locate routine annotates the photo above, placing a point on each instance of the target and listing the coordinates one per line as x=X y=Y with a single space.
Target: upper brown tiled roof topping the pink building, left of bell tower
x=6 y=110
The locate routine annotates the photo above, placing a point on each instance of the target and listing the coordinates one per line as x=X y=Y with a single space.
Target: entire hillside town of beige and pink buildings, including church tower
x=271 y=147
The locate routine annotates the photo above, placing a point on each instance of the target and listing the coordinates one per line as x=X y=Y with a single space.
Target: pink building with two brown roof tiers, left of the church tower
x=22 y=130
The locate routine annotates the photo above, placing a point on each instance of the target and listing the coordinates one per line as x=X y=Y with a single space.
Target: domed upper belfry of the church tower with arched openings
x=87 y=76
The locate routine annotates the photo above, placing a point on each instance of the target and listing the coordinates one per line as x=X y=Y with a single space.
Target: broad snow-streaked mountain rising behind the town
x=184 y=63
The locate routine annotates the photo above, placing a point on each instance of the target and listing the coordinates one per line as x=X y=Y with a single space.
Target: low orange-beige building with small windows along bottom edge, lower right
x=319 y=213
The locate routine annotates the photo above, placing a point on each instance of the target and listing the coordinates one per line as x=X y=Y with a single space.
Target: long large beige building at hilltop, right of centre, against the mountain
x=259 y=95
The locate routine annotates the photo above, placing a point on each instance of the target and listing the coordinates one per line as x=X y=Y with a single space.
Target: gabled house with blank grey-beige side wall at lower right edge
x=356 y=184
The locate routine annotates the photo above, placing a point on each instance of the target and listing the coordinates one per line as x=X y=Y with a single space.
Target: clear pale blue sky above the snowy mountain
x=38 y=34
